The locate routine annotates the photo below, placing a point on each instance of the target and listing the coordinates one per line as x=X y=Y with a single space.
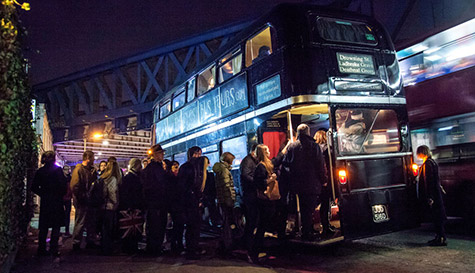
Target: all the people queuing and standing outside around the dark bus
x=113 y=207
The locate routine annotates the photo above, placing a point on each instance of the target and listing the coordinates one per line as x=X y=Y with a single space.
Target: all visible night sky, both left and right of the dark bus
x=68 y=36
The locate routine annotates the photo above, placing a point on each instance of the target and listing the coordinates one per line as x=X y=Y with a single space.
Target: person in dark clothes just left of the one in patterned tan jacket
x=192 y=176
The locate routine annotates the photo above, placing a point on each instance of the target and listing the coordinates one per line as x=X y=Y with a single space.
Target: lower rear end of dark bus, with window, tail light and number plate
x=372 y=171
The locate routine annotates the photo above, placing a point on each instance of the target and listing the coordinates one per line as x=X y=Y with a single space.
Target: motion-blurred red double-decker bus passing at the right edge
x=439 y=74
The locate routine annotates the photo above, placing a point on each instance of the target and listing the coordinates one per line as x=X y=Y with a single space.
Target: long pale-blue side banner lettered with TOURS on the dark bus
x=220 y=102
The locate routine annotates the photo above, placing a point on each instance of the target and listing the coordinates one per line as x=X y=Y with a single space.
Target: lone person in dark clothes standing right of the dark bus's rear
x=429 y=181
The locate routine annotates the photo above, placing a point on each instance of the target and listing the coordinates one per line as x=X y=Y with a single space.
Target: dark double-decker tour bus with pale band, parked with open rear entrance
x=302 y=63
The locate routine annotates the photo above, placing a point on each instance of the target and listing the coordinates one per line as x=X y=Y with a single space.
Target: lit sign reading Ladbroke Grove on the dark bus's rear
x=350 y=63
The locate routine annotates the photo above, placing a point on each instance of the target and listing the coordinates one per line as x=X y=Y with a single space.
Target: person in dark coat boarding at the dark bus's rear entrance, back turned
x=305 y=162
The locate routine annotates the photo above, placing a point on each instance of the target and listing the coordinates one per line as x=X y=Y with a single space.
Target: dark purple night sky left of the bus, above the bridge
x=68 y=36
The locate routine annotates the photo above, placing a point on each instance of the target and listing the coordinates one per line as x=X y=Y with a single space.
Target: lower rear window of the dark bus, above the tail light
x=367 y=131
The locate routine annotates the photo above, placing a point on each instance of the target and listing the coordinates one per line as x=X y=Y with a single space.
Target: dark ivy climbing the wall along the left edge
x=18 y=150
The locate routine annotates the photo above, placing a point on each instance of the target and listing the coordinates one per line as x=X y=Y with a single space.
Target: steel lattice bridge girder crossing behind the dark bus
x=123 y=88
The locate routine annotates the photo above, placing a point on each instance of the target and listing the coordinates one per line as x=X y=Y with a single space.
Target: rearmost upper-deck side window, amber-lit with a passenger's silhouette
x=258 y=46
